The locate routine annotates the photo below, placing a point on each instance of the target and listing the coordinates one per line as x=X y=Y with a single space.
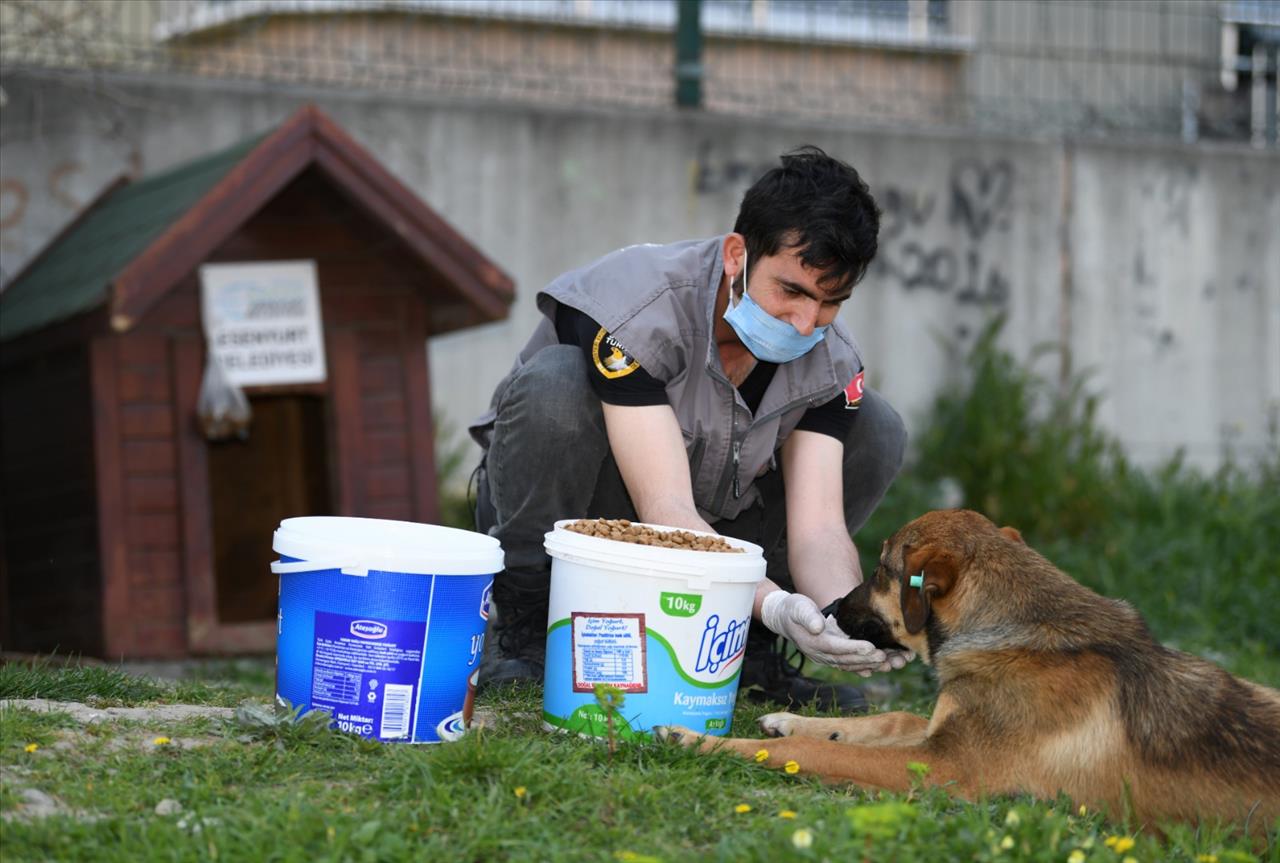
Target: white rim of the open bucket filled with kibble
x=657 y=560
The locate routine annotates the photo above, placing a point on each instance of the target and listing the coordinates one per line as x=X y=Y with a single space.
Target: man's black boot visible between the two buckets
x=516 y=647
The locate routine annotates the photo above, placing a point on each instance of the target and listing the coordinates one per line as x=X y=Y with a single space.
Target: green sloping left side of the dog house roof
x=72 y=276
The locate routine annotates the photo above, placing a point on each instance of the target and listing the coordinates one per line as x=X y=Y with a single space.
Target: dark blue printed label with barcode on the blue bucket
x=365 y=673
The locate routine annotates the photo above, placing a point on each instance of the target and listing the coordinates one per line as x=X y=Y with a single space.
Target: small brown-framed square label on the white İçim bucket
x=610 y=650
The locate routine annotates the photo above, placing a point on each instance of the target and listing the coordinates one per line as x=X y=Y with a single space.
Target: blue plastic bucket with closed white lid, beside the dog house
x=382 y=624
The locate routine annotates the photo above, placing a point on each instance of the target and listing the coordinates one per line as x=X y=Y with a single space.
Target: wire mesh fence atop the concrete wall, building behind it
x=1178 y=69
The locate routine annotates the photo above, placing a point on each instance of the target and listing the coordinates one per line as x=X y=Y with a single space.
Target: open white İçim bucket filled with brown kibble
x=668 y=627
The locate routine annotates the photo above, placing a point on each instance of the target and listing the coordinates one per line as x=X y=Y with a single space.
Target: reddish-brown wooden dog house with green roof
x=125 y=531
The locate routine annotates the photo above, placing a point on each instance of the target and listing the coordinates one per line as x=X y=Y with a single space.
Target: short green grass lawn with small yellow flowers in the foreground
x=239 y=789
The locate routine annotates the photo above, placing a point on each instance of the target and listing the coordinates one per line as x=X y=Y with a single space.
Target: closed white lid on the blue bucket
x=387 y=546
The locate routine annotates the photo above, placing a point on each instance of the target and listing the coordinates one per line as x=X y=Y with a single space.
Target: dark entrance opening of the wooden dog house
x=281 y=472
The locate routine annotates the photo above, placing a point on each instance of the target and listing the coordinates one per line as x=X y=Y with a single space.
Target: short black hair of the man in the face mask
x=816 y=204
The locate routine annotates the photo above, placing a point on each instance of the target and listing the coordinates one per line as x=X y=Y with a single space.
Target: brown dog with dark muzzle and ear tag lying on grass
x=1045 y=687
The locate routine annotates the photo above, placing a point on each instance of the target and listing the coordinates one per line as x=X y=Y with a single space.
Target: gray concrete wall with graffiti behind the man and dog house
x=1158 y=267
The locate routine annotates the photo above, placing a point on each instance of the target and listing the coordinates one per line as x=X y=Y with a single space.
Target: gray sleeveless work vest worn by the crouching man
x=659 y=303
